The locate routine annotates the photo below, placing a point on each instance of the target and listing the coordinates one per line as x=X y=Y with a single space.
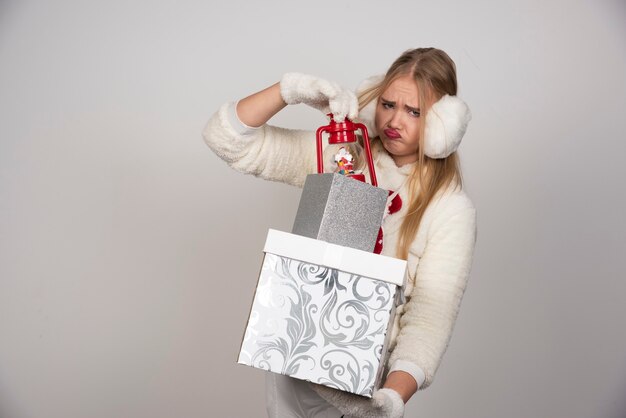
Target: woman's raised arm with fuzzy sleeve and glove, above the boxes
x=241 y=137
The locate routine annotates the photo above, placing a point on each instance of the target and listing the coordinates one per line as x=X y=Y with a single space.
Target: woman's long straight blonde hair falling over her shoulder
x=435 y=75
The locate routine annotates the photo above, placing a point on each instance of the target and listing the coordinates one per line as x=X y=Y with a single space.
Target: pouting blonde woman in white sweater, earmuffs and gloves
x=416 y=123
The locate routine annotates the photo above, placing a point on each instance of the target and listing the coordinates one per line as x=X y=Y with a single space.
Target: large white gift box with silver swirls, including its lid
x=323 y=313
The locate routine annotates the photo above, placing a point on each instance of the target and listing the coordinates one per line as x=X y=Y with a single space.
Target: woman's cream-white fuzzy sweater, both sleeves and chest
x=439 y=258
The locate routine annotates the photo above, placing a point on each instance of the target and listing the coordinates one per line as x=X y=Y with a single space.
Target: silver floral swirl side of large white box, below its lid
x=319 y=324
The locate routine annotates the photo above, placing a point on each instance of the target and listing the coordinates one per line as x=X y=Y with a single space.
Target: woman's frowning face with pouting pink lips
x=398 y=120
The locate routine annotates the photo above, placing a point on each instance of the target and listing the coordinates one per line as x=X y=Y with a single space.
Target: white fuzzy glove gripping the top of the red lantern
x=321 y=94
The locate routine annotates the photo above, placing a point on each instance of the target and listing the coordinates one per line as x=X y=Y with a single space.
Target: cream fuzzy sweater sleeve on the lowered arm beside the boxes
x=429 y=315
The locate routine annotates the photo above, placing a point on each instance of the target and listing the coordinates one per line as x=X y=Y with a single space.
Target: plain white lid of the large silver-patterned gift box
x=363 y=263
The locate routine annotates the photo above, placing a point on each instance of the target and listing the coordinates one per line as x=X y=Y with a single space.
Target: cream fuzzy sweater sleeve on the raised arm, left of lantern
x=269 y=152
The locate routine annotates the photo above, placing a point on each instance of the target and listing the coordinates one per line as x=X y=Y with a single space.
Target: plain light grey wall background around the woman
x=129 y=252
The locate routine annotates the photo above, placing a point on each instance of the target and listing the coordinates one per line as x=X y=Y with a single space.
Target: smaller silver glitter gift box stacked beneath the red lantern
x=340 y=210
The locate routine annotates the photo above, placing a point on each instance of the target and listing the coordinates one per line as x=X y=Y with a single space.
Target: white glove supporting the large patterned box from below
x=385 y=403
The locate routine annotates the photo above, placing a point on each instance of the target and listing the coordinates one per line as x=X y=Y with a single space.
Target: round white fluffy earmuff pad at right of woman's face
x=446 y=123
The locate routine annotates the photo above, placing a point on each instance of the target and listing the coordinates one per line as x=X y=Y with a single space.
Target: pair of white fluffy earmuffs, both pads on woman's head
x=446 y=121
